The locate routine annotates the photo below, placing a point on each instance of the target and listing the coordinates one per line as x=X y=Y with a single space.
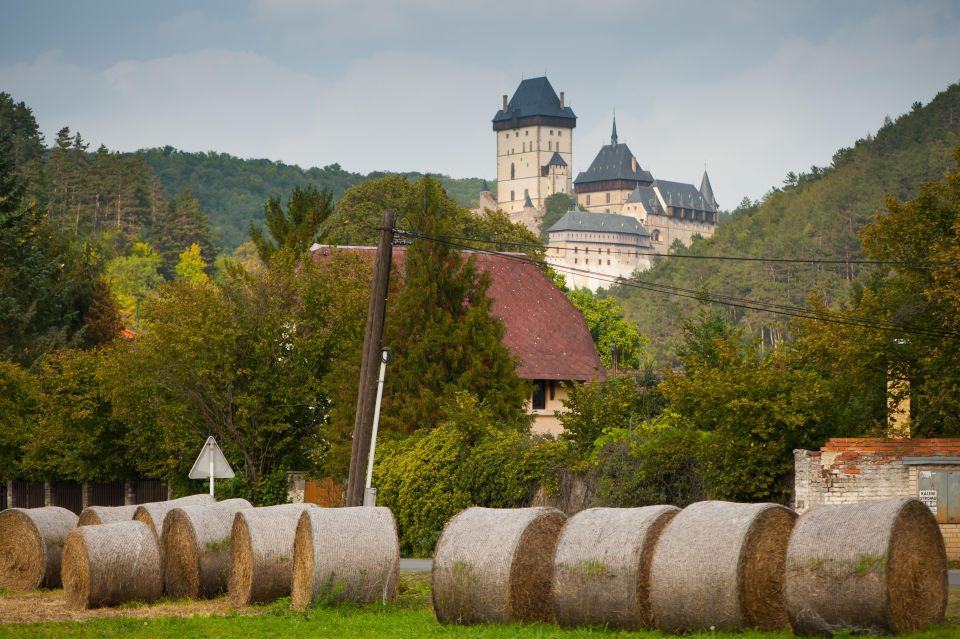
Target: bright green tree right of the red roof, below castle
x=614 y=336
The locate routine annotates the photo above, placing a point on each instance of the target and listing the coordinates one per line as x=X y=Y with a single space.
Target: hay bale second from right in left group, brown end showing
x=261 y=553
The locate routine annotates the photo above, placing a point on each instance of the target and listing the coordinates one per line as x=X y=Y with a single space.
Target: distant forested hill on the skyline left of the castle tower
x=233 y=190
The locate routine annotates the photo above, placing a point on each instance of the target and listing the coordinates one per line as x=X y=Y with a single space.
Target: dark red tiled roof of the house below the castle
x=543 y=328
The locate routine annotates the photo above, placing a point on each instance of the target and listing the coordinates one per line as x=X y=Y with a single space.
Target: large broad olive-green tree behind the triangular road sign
x=244 y=362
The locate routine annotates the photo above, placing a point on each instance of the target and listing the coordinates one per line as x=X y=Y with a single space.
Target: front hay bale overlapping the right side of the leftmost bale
x=110 y=564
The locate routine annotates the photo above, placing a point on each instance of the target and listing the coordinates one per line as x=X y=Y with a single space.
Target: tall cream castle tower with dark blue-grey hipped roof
x=534 y=146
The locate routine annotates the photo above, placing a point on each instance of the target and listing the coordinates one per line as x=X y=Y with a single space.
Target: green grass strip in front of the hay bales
x=411 y=616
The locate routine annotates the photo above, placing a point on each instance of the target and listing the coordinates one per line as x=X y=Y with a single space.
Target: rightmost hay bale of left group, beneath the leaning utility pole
x=345 y=554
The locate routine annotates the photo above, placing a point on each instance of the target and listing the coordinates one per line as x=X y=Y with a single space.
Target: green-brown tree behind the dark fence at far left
x=75 y=436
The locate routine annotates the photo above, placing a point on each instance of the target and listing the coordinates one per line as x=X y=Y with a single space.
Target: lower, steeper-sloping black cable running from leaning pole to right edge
x=714 y=298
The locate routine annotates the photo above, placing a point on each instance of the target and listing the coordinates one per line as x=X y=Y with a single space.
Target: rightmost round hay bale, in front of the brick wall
x=877 y=567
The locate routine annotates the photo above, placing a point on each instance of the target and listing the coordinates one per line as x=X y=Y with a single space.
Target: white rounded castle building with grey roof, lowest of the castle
x=593 y=250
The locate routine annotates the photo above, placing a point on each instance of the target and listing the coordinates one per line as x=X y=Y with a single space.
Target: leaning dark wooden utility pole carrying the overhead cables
x=366 y=395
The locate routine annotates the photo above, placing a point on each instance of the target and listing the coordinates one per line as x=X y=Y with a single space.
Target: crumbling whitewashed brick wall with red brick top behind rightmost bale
x=848 y=471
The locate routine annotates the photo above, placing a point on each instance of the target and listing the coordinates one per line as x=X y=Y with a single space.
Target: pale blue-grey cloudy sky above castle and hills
x=749 y=89
